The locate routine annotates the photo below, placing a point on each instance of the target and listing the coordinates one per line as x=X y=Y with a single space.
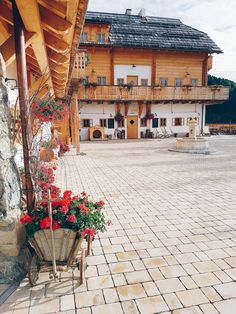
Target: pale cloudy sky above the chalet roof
x=215 y=17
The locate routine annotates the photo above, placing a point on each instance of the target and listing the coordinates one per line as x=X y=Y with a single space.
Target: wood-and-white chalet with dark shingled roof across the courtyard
x=135 y=65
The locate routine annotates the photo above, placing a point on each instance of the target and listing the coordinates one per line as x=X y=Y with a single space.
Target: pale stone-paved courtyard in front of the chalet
x=172 y=245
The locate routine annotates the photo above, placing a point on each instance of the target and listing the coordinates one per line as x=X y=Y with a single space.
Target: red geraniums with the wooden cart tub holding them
x=72 y=216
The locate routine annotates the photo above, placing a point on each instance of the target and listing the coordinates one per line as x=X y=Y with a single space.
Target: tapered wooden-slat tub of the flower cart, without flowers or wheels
x=67 y=244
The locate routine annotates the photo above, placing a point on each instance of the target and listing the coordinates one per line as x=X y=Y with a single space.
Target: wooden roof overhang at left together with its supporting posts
x=41 y=36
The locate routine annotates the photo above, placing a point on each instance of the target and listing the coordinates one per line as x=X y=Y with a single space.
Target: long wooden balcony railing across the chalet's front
x=153 y=94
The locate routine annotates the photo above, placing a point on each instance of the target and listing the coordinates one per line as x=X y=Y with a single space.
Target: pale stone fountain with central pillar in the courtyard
x=192 y=144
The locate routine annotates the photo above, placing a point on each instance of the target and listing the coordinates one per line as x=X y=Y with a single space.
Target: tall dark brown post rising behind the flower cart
x=19 y=37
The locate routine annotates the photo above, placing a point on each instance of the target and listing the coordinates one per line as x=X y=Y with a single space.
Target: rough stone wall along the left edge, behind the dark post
x=10 y=230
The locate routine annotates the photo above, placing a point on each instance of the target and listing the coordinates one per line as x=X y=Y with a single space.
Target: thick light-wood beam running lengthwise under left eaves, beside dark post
x=31 y=18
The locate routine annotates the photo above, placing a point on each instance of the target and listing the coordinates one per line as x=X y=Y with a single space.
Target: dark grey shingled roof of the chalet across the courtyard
x=133 y=31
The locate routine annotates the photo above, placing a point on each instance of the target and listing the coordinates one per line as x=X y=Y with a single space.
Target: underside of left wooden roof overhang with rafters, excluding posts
x=52 y=31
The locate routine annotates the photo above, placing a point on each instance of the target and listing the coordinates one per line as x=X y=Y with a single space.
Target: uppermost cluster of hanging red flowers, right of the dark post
x=49 y=110
